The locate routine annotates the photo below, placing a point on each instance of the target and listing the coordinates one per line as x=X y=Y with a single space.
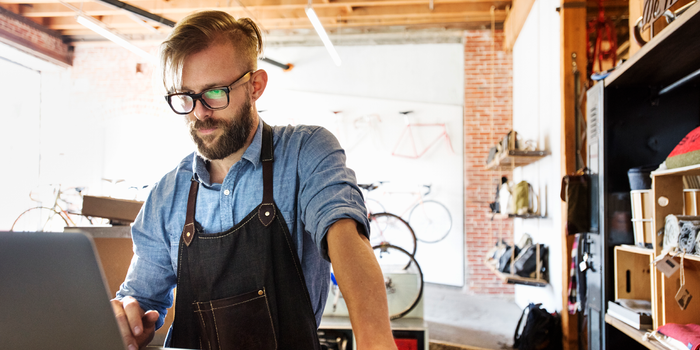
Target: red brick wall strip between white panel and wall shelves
x=482 y=129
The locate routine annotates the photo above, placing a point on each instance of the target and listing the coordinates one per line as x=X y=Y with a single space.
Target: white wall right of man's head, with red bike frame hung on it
x=372 y=85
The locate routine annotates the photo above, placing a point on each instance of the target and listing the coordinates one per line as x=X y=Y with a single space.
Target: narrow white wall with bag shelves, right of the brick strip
x=537 y=116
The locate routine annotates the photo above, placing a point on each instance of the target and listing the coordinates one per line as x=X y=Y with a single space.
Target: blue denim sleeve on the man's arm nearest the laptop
x=151 y=276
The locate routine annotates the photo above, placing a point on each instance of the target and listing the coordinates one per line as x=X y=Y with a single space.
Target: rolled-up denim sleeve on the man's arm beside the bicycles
x=328 y=189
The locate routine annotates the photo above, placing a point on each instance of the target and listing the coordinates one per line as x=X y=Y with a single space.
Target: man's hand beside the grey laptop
x=136 y=326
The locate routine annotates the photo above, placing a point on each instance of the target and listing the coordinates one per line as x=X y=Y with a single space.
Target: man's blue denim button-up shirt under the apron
x=312 y=188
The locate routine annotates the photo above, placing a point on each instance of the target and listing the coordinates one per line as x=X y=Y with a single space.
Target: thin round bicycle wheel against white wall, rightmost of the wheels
x=431 y=221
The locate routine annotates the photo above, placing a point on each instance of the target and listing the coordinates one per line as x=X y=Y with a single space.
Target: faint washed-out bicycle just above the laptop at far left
x=50 y=219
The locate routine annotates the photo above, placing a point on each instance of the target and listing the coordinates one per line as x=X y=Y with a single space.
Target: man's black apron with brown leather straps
x=242 y=288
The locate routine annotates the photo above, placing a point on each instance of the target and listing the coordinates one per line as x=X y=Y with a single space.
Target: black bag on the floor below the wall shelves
x=542 y=330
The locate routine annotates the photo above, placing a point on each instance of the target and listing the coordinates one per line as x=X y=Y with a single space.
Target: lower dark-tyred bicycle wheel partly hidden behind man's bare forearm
x=403 y=279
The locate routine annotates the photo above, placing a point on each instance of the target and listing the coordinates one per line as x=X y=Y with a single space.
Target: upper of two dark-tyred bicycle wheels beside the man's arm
x=390 y=228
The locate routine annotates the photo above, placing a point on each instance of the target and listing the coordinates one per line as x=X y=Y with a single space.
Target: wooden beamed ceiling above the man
x=428 y=19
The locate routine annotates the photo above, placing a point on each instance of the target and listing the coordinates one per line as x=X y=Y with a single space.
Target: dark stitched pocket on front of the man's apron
x=240 y=322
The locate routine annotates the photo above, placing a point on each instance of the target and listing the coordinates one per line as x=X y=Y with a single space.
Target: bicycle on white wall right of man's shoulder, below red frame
x=429 y=219
